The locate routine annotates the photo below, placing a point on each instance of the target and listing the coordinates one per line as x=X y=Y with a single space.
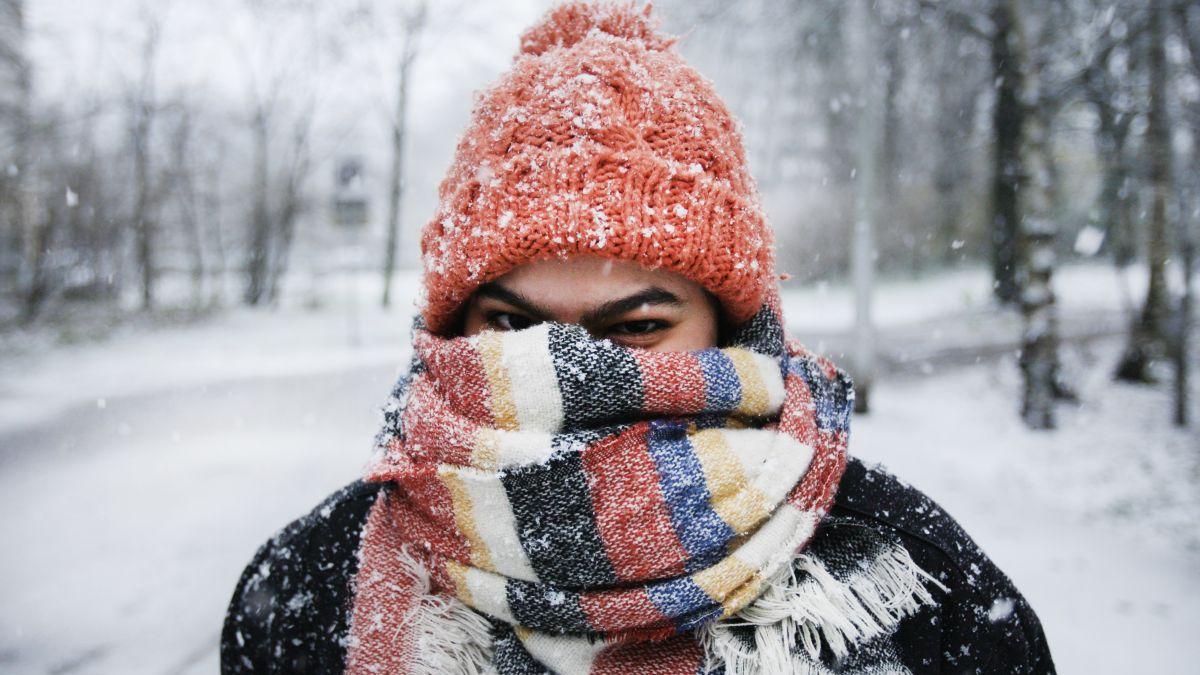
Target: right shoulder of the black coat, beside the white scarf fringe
x=982 y=623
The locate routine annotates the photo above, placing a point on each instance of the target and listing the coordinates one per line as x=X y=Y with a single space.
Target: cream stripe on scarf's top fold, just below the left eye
x=536 y=390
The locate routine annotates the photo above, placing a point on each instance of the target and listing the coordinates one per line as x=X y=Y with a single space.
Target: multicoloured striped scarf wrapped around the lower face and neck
x=567 y=504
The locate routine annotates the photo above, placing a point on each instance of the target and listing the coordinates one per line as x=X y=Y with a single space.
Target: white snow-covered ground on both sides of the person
x=139 y=475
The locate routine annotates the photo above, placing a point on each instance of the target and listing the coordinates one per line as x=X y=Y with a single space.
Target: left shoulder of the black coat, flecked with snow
x=295 y=594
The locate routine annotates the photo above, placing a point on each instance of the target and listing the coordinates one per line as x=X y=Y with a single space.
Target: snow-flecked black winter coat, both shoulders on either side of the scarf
x=291 y=610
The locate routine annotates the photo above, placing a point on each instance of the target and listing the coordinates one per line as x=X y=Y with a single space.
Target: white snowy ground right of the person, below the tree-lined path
x=1099 y=522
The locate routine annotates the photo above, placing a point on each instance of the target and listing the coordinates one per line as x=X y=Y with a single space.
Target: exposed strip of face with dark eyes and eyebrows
x=621 y=301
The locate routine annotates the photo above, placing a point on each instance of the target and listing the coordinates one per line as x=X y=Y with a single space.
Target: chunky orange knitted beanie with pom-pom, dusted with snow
x=599 y=141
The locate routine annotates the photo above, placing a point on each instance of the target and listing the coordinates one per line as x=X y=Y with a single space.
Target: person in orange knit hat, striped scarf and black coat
x=608 y=455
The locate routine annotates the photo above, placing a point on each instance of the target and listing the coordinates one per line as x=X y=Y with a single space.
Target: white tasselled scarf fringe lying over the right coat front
x=819 y=611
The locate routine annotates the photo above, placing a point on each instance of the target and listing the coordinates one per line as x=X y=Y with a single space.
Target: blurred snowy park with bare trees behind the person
x=209 y=216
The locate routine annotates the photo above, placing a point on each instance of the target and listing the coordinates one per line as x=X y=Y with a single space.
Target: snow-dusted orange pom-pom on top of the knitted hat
x=569 y=25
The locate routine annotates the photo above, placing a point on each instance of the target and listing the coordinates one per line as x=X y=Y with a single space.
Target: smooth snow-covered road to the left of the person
x=125 y=527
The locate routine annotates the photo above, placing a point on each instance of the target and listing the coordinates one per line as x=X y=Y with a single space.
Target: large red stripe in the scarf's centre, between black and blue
x=632 y=513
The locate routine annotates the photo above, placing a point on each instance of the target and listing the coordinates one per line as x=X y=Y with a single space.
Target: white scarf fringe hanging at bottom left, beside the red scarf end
x=449 y=638
